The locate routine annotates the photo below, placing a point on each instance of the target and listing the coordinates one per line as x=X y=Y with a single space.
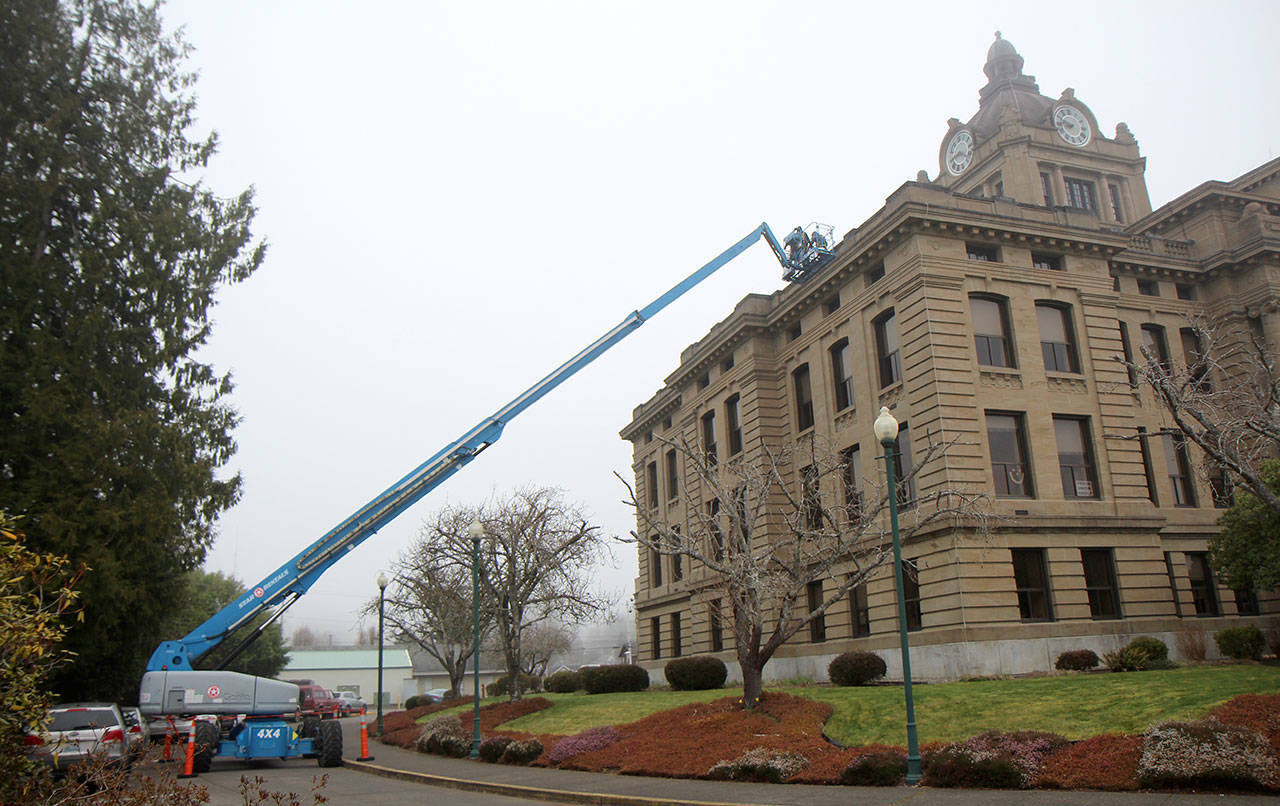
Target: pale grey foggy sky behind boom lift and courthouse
x=460 y=196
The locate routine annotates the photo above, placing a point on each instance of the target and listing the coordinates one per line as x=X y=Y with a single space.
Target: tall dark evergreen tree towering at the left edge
x=112 y=433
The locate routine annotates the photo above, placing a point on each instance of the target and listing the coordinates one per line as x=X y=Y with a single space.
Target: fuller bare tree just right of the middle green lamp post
x=536 y=561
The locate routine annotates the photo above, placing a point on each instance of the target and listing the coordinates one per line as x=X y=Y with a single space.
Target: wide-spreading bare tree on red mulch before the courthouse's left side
x=783 y=535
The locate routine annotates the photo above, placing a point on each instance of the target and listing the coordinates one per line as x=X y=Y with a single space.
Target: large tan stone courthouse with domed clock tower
x=989 y=304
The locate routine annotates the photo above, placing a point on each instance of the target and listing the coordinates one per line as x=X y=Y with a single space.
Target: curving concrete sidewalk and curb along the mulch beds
x=574 y=787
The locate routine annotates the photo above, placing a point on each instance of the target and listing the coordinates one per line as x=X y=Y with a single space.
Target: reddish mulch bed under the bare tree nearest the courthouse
x=687 y=741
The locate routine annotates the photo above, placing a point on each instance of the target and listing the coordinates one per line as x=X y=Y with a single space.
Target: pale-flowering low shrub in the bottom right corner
x=1206 y=754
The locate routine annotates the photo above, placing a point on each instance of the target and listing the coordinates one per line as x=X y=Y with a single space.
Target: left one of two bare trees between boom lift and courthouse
x=429 y=598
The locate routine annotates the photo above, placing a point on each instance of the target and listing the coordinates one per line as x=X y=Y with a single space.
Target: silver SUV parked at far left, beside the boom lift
x=79 y=731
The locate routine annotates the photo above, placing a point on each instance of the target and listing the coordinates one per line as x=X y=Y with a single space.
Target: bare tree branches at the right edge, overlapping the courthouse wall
x=1226 y=399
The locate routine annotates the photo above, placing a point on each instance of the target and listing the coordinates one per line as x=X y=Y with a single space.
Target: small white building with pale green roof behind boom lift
x=355 y=670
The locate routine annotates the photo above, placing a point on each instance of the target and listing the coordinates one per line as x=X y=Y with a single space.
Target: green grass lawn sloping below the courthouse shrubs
x=1077 y=706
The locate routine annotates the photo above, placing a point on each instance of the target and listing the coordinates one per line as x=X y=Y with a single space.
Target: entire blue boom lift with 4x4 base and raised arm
x=173 y=688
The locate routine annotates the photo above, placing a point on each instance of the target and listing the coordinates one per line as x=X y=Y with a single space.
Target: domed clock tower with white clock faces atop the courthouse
x=1027 y=148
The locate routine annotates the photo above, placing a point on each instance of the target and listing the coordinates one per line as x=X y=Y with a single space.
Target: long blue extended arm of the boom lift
x=287 y=584
